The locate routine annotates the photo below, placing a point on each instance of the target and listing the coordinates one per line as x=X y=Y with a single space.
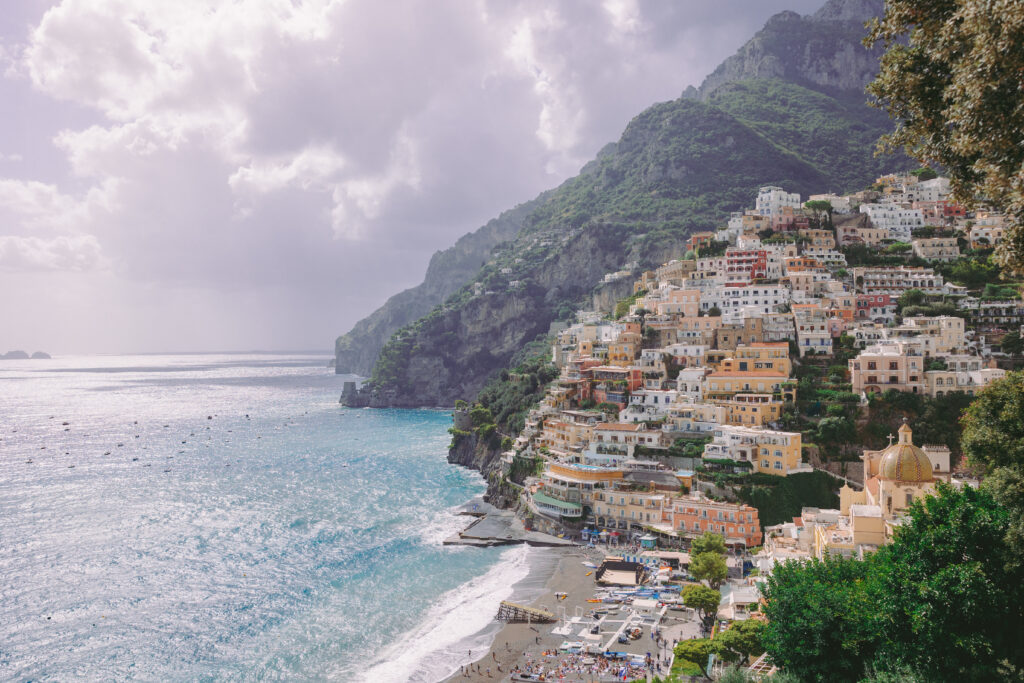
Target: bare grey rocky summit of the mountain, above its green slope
x=822 y=51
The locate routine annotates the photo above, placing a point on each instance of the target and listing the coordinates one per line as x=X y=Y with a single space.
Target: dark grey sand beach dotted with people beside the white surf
x=525 y=645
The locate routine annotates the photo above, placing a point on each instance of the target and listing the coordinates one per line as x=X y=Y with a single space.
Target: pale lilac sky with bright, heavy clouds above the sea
x=262 y=175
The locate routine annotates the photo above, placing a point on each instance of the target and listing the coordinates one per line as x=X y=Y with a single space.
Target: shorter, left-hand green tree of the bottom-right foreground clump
x=823 y=621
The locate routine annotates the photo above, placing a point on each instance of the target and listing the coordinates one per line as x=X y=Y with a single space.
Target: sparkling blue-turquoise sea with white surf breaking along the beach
x=222 y=518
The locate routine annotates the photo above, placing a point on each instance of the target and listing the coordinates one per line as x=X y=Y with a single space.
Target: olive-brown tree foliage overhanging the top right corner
x=951 y=77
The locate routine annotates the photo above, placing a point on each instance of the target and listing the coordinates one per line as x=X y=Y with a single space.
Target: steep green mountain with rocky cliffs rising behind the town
x=781 y=112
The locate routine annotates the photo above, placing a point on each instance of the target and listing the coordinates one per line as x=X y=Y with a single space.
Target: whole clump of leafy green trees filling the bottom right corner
x=942 y=602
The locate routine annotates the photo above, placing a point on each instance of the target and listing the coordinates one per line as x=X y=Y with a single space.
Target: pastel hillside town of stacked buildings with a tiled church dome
x=665 y=407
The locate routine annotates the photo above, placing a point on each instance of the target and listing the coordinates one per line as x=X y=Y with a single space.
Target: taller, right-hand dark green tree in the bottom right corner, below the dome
x=951 y=578
